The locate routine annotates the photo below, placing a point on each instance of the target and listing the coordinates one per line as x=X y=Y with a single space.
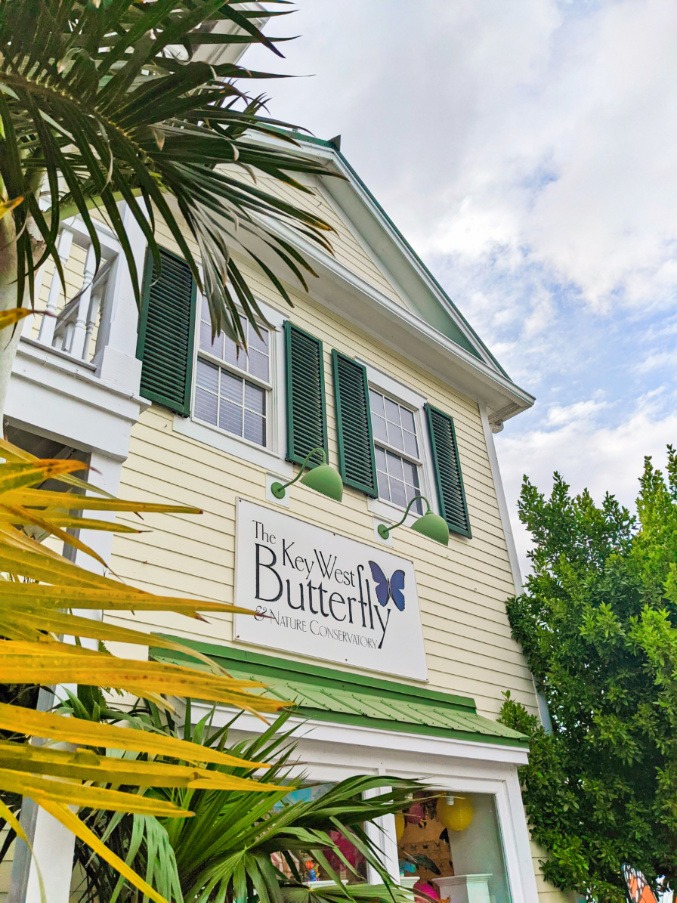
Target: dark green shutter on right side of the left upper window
x=306 y=415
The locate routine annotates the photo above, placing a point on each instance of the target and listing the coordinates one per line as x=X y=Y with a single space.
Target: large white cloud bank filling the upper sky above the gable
x=546 y=131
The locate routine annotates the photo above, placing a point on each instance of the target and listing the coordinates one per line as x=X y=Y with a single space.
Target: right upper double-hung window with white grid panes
x=397 y=451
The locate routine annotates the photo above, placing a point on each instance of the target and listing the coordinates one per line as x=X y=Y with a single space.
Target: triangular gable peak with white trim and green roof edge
x=369 y=247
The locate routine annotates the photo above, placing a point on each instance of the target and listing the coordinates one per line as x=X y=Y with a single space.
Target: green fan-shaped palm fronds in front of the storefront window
x=226 y=851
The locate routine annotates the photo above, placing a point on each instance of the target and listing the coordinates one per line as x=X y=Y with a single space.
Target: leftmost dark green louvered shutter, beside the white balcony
x=166 y=329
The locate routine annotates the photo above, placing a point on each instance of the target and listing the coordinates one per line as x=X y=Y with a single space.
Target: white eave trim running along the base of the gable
x=343 y=291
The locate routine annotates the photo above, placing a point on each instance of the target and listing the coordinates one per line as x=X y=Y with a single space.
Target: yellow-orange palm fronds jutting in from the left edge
x=34 y=617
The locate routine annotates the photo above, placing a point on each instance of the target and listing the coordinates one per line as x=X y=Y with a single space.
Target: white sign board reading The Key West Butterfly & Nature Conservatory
x=319 y=594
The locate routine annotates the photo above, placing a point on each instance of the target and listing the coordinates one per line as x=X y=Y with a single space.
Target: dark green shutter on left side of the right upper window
x=353 y=423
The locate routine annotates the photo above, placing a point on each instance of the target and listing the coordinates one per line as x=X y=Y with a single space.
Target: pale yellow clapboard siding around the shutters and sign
x=462 y=589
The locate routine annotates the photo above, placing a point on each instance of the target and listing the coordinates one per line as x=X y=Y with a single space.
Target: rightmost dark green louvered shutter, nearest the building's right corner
x=448 y=478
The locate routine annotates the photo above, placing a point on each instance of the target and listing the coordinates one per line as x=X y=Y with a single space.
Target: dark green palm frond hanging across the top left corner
x=102 y=102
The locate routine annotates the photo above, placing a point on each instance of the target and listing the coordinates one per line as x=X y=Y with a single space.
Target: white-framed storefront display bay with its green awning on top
x=465 y=839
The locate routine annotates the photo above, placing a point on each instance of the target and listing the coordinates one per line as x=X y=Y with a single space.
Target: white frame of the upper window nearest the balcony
x=271 y=456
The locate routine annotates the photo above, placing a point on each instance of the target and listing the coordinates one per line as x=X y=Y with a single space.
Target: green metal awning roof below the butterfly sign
x=325 y=694
